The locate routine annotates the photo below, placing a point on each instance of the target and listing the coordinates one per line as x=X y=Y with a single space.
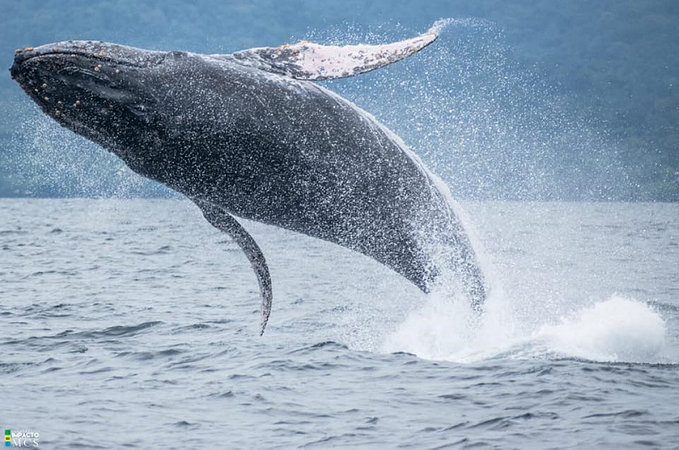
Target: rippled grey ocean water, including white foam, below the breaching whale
x=134 y=324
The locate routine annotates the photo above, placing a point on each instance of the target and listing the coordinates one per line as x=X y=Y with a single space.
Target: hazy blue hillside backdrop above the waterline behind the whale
x=520 y=100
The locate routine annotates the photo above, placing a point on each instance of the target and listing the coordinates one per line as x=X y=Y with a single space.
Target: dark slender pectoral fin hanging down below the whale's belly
x=222 y=220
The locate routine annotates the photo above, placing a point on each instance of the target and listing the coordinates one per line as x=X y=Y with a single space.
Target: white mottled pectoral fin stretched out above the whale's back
x=309 y=61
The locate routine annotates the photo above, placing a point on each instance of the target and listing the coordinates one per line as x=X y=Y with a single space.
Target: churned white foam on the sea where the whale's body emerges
x=617 y=329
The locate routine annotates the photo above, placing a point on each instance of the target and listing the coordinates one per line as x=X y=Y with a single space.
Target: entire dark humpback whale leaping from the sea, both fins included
x=251 y=135
